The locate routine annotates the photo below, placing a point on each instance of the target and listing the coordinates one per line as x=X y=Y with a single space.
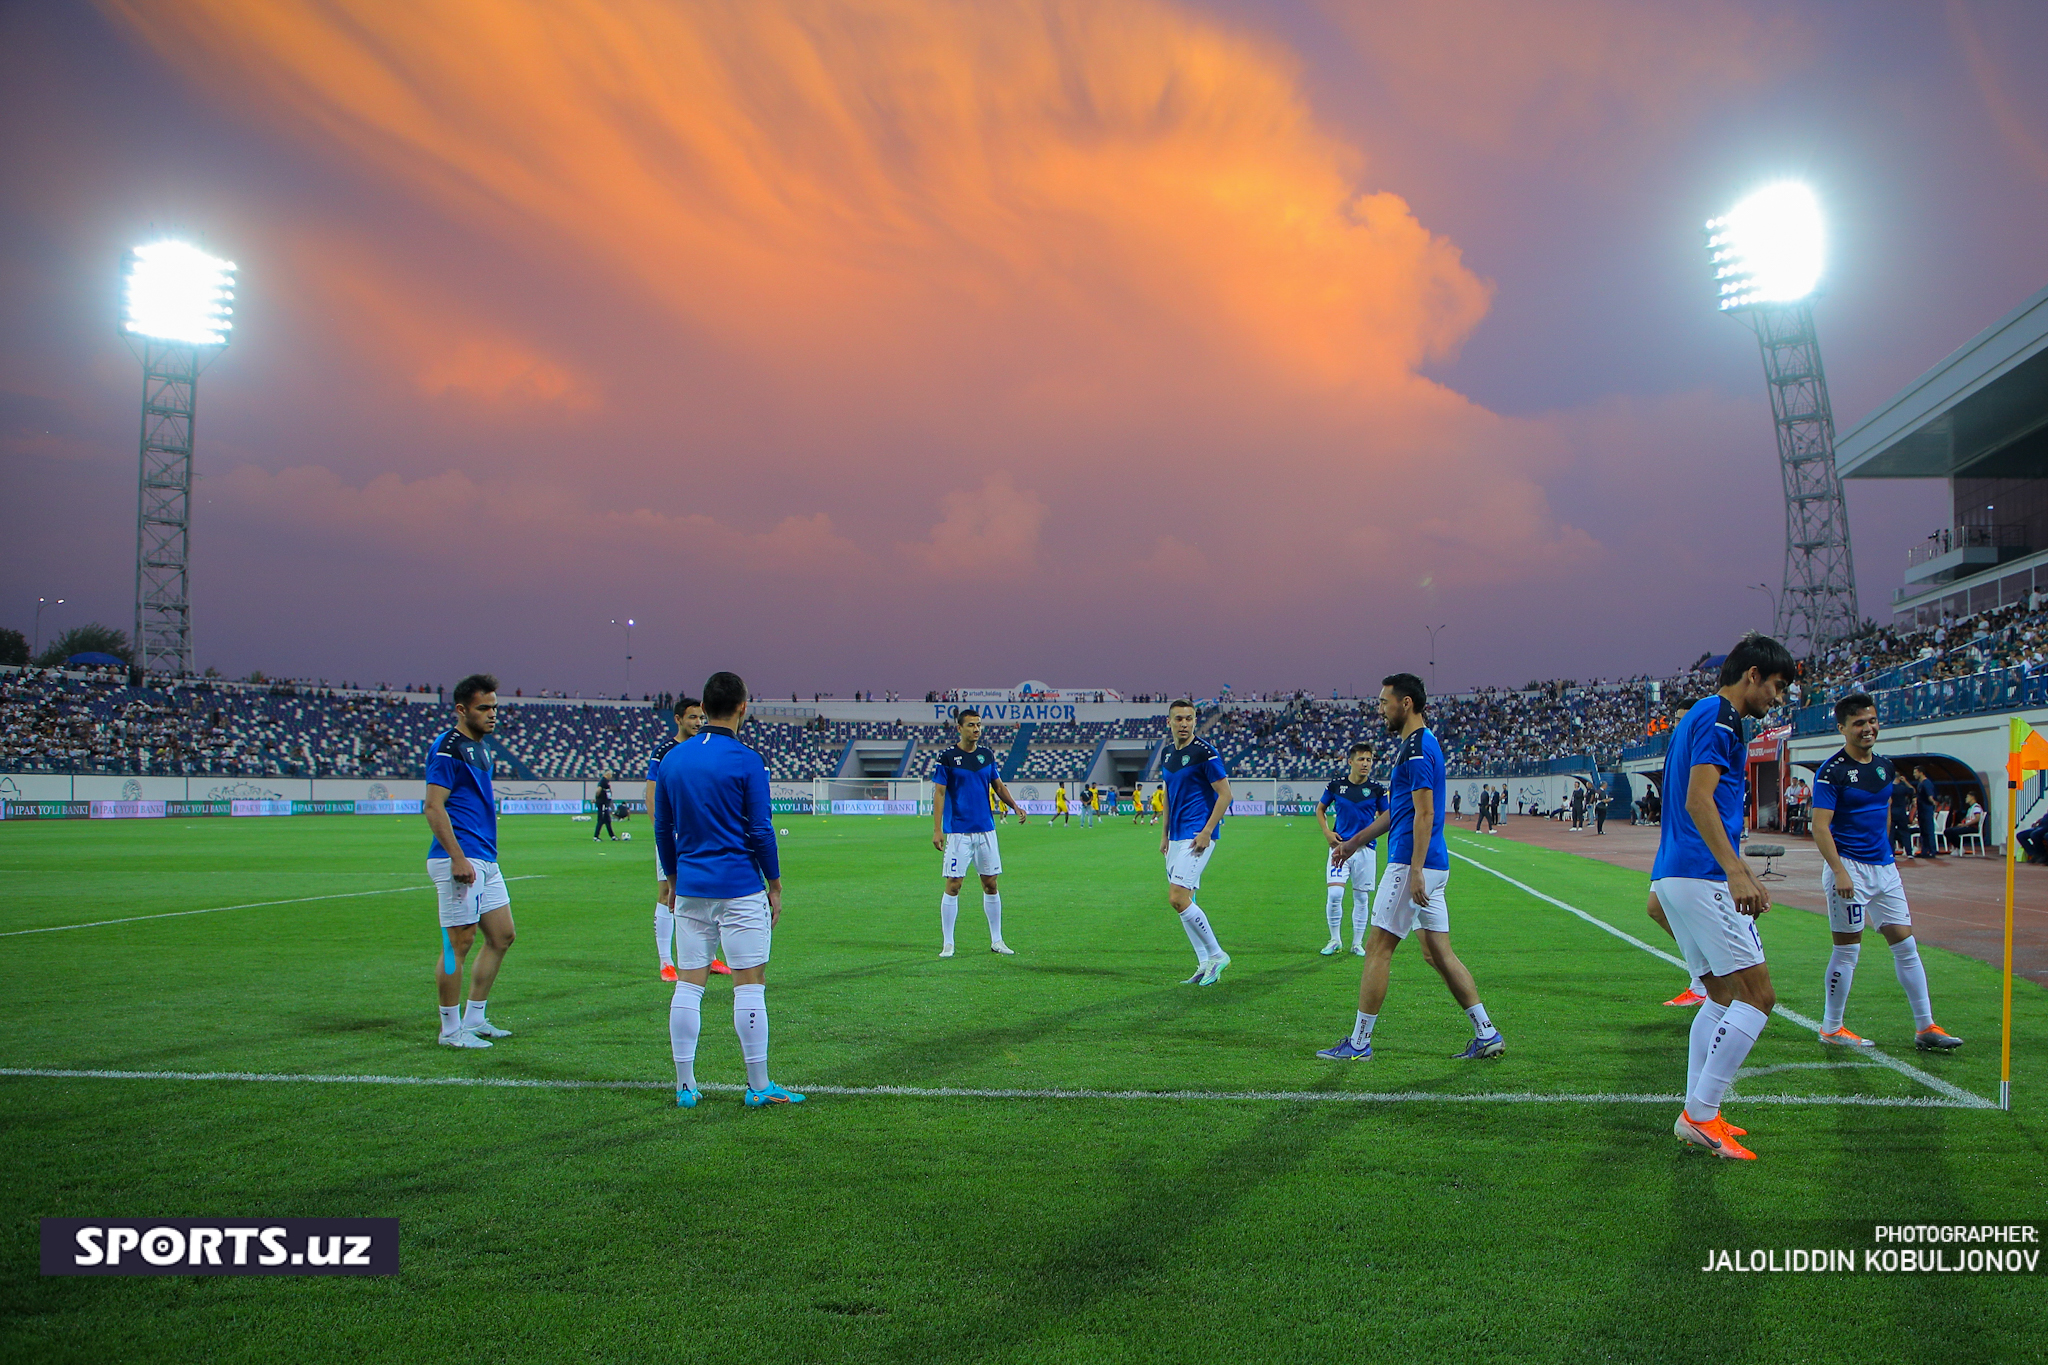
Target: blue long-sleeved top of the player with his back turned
x=714 y=836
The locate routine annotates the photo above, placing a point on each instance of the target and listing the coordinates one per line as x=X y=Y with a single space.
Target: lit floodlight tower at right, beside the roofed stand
x=1768 y=263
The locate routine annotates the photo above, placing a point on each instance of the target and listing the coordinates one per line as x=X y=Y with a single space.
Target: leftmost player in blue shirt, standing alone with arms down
x=462 y=863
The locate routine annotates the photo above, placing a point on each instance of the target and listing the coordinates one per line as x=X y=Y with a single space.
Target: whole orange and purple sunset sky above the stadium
x=904 y=345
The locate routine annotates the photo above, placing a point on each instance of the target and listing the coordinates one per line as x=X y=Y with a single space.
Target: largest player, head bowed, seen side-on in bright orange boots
x=1709 y=897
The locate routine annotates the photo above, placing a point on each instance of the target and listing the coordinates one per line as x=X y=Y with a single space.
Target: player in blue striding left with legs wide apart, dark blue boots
x=1418 y=869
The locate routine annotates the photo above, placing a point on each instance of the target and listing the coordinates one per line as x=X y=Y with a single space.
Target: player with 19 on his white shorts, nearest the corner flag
x=1852 y=811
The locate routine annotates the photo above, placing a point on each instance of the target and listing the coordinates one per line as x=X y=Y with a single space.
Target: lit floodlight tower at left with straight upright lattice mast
x=177 y=322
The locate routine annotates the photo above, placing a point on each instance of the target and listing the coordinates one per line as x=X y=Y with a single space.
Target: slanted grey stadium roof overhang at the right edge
x=1981 y=414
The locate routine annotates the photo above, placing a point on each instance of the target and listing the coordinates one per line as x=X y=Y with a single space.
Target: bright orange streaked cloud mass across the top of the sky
x=798 y=173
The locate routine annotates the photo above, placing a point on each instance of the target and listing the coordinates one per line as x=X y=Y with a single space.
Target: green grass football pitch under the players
x=605 y=1225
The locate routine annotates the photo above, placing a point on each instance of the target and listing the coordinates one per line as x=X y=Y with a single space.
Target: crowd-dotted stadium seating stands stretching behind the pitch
x=97 y=723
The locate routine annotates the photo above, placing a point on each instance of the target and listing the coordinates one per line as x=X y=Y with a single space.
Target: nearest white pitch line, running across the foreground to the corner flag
x=914 y=1092
